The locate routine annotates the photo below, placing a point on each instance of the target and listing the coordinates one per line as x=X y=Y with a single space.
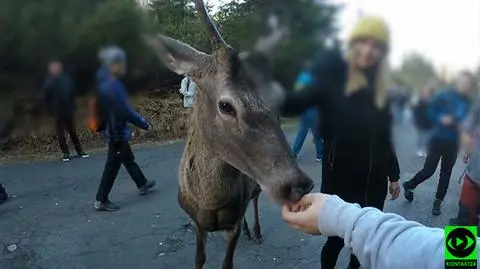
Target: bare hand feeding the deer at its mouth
x=304 y=215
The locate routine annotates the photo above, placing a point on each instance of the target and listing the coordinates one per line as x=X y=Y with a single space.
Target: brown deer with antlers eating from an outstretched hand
x=235 y=147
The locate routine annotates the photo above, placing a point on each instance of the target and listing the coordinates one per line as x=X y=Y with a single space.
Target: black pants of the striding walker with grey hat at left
x=118 y=153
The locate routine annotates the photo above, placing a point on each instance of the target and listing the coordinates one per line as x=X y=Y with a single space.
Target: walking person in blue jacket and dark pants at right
x=448 y=109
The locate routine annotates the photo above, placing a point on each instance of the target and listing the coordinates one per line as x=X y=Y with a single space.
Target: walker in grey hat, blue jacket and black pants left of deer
x=117 y=113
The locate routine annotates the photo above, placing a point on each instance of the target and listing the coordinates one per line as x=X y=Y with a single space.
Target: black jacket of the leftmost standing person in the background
x=60 y=96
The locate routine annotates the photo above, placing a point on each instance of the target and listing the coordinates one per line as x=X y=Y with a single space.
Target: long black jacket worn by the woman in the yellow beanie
x=359 y=155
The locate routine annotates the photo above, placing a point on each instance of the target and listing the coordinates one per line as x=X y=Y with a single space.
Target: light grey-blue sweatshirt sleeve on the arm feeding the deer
x=383 y=240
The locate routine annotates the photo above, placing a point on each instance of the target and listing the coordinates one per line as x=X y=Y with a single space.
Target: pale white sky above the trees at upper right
x=445 y=31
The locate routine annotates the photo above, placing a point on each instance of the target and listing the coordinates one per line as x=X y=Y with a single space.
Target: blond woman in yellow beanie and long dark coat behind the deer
x=350 y=91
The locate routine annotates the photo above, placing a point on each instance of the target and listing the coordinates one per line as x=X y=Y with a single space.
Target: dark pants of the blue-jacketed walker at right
x=445 y=150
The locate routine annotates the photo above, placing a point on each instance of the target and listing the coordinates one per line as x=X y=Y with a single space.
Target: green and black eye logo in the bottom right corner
x=461 y=250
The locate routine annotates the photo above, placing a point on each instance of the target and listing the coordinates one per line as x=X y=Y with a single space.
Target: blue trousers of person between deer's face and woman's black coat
x=308 y=121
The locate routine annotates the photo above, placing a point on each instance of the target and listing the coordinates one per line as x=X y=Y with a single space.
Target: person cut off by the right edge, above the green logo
x=469 y=203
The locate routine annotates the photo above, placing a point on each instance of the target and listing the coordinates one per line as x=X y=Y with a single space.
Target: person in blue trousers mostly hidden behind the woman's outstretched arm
x=308 y=121
